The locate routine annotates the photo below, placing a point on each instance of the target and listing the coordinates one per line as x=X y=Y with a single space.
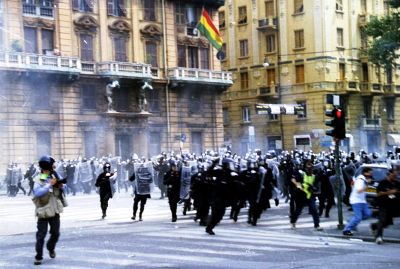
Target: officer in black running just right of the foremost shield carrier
x=172 y=180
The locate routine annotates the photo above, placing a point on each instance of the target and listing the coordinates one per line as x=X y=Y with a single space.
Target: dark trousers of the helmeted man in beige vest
x=42 y=226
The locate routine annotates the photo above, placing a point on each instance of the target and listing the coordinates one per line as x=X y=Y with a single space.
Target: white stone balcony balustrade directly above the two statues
x=124 y=69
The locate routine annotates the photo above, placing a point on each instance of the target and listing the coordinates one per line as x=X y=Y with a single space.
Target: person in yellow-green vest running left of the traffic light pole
x=306 y=184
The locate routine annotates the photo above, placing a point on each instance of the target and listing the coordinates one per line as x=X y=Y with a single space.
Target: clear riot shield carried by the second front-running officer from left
x=144 y=178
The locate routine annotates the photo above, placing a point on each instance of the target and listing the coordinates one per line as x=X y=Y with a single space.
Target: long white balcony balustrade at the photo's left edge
x=17 y=60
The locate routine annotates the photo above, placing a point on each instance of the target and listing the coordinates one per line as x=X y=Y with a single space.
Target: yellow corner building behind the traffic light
x=297 y=52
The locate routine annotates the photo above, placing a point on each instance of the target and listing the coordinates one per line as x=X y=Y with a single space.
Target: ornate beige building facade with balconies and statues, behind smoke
x=57 y=58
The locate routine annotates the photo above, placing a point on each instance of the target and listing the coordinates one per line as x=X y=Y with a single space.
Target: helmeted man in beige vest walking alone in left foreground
x=49 y=201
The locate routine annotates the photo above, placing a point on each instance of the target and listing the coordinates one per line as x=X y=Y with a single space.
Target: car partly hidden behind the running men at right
x=379 y=173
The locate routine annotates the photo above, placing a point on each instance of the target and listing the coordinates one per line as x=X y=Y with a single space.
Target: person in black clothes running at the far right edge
x=388 y=200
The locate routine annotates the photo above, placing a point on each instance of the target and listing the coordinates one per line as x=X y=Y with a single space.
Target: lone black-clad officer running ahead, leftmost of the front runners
x=104 y=181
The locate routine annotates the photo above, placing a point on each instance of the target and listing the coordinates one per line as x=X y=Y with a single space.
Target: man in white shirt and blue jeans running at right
x=358 y=201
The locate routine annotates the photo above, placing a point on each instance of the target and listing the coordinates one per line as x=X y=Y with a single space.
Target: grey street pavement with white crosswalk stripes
x=118 y=242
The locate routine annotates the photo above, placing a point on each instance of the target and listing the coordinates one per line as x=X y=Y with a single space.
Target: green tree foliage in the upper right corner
x=385 y=34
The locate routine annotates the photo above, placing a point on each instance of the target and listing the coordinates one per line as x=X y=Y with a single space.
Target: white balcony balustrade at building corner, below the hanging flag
x=200 y=75
